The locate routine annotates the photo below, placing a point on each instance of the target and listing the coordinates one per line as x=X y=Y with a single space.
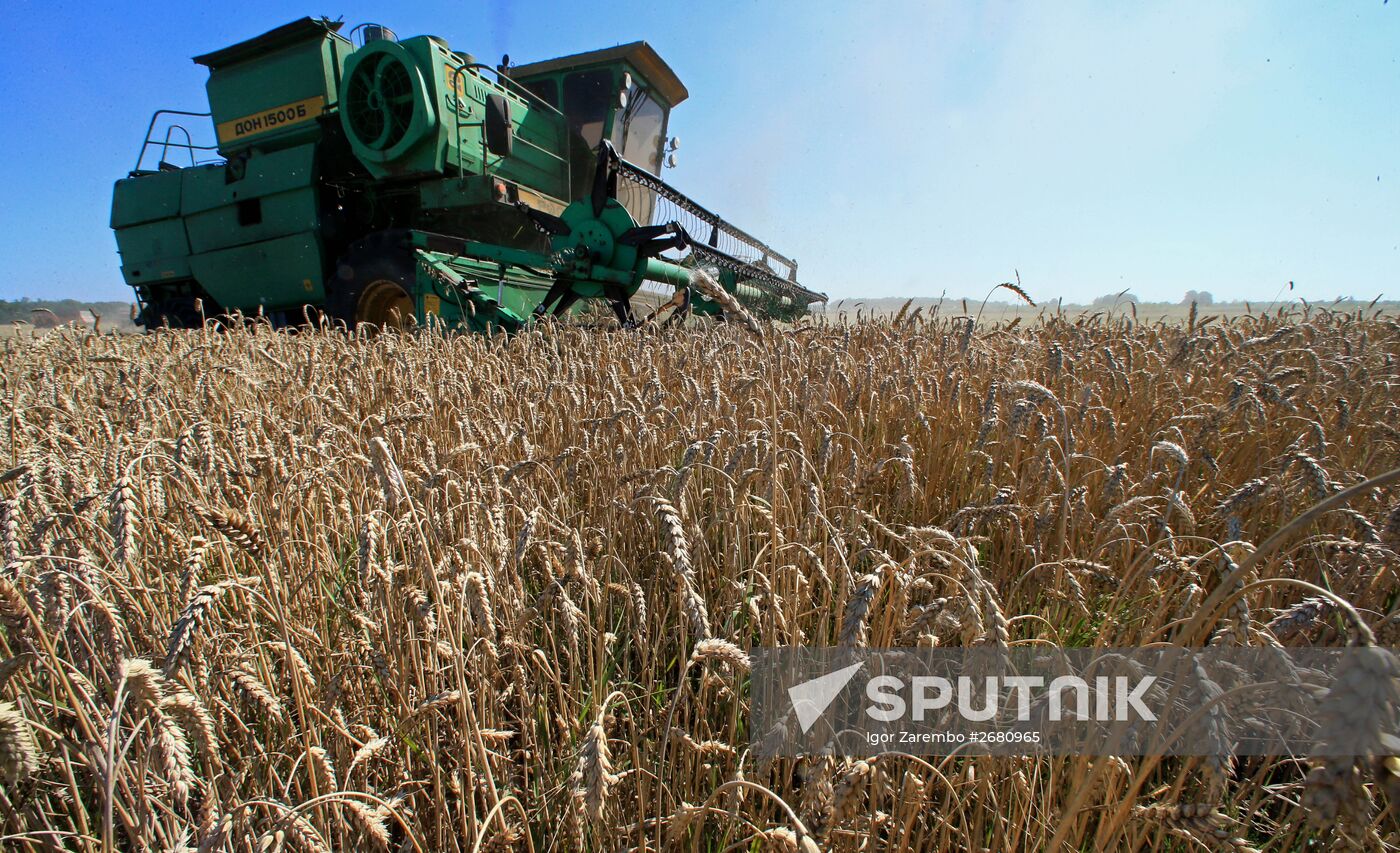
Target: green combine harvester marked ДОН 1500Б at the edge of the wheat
x=381 y=181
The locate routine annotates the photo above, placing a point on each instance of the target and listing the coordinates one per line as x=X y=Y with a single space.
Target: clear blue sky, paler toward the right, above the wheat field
x=891 y=148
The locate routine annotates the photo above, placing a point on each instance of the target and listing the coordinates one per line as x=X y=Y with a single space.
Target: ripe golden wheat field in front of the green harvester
x=430 y=592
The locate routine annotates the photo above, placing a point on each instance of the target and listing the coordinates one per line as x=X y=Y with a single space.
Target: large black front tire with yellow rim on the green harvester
x=374 y=284
